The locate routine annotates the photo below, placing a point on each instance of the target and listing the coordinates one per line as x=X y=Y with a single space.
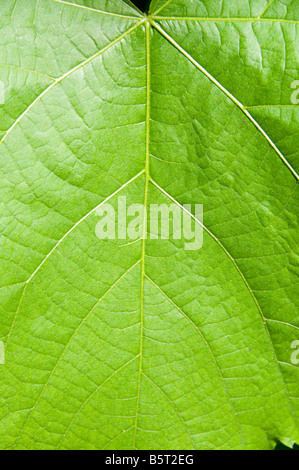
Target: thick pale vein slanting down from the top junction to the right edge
x=227 y=93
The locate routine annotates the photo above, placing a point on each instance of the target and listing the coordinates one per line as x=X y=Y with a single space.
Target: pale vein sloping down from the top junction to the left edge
x=67 y=74
